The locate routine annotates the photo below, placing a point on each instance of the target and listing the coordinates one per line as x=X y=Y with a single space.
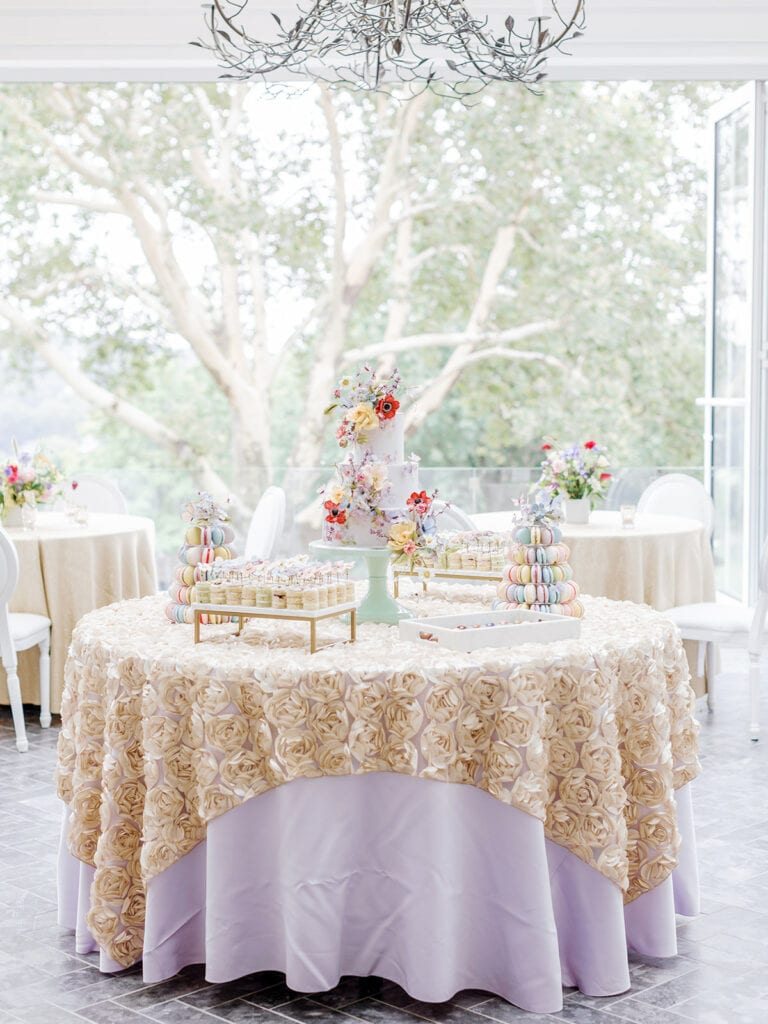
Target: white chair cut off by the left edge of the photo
x=21 y=631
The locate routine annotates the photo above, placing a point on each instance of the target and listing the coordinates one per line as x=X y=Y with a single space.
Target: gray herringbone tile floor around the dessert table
x=719 y=977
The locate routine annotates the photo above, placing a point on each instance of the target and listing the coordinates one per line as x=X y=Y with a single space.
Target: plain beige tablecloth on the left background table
x=67 y=571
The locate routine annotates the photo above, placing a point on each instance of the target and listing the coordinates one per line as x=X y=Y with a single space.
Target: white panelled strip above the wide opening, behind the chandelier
x=108 y=40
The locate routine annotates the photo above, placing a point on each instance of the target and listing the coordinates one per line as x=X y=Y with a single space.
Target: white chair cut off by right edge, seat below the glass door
x=732 y=626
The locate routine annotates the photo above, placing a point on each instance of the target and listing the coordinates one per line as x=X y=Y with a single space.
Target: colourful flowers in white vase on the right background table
x=578 y=474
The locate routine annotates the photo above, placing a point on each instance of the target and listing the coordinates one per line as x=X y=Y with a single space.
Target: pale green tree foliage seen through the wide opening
x=604 y=184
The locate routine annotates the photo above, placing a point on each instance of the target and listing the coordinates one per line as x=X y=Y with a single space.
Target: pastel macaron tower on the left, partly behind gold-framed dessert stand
x=207 y=538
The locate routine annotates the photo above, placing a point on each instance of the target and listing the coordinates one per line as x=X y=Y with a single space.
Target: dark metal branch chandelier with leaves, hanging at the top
x=373 y=44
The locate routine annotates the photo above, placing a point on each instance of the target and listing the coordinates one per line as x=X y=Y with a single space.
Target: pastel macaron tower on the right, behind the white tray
x=538 y=576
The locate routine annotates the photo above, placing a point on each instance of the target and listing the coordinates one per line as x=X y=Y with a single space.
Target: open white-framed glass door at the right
x=736 y=387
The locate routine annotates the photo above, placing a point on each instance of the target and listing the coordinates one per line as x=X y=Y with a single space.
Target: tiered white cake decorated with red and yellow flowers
x=375 y=480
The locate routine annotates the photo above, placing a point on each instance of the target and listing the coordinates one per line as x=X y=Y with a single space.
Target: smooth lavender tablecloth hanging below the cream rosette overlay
x=439 y=888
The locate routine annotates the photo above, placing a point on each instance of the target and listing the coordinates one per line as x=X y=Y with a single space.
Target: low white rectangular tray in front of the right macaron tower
x=514 y=627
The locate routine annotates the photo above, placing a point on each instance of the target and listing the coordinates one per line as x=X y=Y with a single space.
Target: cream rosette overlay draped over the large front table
x=161 y=739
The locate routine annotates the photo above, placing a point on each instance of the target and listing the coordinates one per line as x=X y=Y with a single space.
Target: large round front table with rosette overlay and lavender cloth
x=508 y=820
